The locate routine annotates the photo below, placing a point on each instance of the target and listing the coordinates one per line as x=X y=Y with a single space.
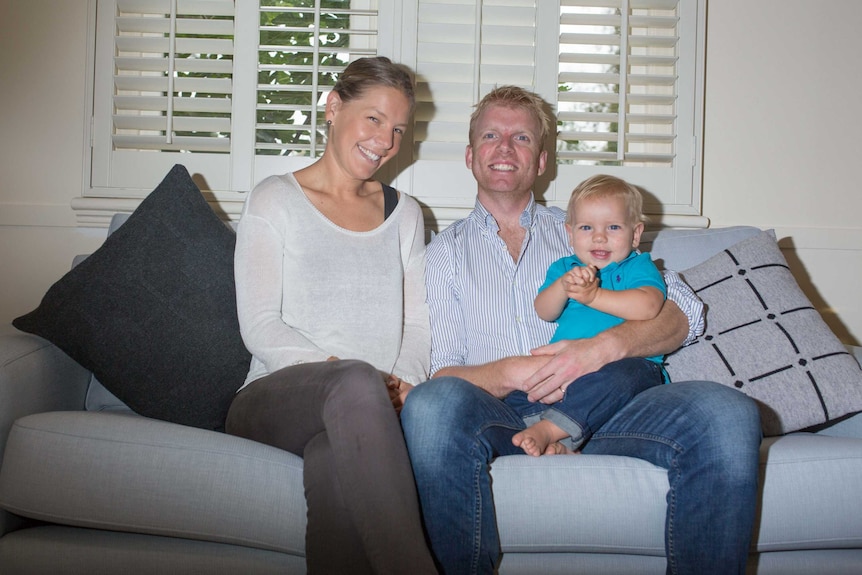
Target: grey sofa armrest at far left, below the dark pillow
x=35 y=376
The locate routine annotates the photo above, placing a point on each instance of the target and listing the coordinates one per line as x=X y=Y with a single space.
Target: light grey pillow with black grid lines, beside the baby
x=764 y=338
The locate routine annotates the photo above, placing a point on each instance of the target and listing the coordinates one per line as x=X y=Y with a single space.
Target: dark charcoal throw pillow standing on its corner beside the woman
x=152 y=313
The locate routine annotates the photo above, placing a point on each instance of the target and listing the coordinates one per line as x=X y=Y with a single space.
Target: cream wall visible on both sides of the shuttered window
x=778 y=152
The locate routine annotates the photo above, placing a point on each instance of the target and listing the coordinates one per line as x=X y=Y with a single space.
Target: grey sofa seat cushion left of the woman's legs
x=123 y=472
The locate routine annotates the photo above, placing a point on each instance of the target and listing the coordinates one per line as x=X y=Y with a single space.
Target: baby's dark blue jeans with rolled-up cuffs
x=591 y=400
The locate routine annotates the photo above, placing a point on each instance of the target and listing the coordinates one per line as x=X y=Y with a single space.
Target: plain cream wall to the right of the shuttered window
x=781 y=142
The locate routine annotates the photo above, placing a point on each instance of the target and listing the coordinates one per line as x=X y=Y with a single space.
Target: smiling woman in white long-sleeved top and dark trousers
x=331 y=303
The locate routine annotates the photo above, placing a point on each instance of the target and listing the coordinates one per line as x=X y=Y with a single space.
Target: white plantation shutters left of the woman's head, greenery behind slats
x=232 y=90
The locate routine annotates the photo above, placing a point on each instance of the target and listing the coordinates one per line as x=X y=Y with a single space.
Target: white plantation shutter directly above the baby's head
x=630 y=79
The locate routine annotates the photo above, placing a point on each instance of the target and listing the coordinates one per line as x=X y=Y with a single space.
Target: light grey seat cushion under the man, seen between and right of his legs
x=594 y=504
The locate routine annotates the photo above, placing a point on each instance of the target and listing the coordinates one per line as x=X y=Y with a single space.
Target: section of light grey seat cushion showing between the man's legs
x=595 y=504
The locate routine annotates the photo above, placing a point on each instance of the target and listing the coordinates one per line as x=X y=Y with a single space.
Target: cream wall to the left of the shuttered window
x=41 y=147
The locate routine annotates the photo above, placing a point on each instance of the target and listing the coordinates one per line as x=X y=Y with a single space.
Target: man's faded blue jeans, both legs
x=706 y=435
